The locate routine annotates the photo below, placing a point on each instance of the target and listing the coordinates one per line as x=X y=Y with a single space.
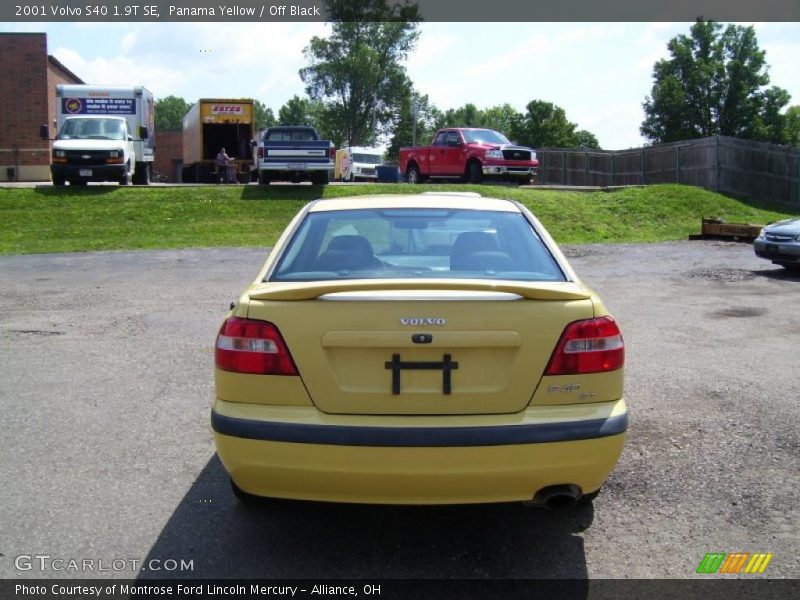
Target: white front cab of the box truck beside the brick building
x=93 y=148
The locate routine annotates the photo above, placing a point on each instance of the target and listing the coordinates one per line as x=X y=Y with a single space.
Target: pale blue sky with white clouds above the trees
x=599 y=73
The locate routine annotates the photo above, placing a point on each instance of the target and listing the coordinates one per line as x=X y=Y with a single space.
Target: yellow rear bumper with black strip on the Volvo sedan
x=301 y=453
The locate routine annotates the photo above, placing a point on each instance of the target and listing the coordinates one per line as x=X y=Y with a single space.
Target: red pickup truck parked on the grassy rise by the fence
x=469 y=154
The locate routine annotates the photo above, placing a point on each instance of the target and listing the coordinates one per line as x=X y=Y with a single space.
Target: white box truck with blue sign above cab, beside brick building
x=105 y=133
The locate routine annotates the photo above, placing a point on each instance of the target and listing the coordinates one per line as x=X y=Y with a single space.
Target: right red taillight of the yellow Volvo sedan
x=590 y=346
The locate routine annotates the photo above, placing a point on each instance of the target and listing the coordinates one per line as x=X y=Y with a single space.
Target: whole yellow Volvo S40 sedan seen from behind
x=427 y=349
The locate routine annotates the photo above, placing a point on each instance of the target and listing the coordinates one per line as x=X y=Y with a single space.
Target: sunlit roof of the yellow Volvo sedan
x=447 y=200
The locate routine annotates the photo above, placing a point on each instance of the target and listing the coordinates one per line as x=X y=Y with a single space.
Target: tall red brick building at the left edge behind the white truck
x=27 y=98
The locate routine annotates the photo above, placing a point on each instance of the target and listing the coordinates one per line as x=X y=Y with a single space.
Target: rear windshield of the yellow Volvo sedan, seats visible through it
x=427 y=243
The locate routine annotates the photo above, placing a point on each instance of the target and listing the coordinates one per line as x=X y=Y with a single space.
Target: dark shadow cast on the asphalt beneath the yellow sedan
x=286 y=539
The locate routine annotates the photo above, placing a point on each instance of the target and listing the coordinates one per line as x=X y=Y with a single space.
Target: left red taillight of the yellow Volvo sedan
x=248 y=346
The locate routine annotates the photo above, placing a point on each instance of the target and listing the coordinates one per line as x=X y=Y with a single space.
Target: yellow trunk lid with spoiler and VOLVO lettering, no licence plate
x=420 y=348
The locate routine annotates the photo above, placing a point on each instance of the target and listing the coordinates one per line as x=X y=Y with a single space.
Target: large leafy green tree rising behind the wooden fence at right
x=714 y=83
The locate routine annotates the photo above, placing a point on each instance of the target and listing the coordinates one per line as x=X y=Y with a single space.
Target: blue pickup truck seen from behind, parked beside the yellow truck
x=293 y=154
